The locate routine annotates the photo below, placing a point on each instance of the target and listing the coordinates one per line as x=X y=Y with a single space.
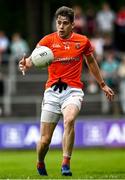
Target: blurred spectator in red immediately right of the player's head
x=80 y=20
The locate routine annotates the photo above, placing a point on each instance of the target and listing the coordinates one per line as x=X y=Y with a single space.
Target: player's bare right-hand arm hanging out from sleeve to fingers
x=95 y=70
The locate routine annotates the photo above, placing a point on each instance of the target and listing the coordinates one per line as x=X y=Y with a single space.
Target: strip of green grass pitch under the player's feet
x=86 y=164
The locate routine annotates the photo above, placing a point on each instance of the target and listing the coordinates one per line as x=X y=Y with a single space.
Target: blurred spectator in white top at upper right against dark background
x=105 y=19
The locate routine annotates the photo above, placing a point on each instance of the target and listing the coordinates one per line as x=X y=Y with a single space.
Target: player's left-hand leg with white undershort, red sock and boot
x=48 y=124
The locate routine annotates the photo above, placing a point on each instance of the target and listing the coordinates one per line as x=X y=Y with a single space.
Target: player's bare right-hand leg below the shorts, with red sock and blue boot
x=69 y=114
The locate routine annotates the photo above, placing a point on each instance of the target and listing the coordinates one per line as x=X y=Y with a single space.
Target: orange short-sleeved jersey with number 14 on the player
x=68 y=55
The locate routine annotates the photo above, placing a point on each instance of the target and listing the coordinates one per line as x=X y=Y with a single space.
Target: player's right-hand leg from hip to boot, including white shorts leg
x=70 y=109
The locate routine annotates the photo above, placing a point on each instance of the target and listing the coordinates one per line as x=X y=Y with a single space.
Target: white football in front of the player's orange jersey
x=42 y=56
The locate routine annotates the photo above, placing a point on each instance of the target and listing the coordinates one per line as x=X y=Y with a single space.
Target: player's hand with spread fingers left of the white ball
x=25 y=64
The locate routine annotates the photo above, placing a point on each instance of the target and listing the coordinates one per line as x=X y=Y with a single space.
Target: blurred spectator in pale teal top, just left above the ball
x=18 y=46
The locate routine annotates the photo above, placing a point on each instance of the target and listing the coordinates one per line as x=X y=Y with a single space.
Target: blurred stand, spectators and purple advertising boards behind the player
x=22 y=24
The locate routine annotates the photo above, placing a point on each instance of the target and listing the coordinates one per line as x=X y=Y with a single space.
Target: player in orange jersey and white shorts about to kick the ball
x=64 y=90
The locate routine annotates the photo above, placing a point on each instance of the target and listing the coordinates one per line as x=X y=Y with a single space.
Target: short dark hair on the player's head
x=65 y=11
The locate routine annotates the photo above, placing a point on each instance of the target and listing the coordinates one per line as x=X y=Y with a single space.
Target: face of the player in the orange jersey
x=64 y=26
